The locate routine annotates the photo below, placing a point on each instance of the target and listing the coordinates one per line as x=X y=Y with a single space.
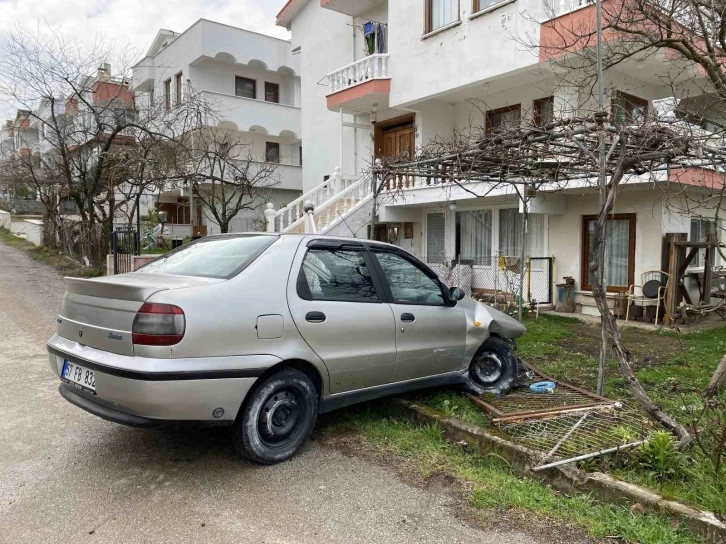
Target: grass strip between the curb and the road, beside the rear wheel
x=488 y=482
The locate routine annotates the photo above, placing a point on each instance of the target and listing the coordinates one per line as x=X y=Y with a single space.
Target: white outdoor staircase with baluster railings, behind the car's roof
x=336 y=206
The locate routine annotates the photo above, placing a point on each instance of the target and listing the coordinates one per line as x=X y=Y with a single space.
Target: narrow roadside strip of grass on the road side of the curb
x=494 y=495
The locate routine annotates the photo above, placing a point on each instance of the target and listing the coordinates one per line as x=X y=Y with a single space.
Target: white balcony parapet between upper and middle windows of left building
x=251 y=115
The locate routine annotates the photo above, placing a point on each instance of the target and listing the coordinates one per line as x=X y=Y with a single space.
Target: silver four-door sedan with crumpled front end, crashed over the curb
x=263 y=332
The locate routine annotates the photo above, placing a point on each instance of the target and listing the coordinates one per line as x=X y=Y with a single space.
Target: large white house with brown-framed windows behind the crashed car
x=381 y=78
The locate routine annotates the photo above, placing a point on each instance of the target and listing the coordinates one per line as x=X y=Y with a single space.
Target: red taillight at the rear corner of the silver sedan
x=158 y=325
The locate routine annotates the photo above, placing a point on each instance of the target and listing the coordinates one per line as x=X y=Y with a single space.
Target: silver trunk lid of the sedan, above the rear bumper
x=100 y=312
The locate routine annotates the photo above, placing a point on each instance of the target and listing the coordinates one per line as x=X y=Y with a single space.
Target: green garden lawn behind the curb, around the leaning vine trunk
x=673 y=369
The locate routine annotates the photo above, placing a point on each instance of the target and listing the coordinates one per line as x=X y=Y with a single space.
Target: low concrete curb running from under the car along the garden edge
x=570 y=479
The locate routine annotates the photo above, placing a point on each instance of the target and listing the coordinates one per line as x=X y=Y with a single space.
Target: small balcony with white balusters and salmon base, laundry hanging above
x=361 y=84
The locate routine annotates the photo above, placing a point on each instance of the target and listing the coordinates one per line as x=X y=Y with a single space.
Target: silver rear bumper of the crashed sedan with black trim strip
x=146 y=392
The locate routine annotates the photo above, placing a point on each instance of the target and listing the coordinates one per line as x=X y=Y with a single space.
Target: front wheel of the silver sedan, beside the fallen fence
x=493 y=369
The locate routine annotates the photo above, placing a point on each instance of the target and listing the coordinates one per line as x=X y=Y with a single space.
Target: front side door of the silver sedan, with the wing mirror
x=430 y=333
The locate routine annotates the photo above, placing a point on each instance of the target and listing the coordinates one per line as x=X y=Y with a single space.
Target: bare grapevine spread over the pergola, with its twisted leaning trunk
x=528 y=157
